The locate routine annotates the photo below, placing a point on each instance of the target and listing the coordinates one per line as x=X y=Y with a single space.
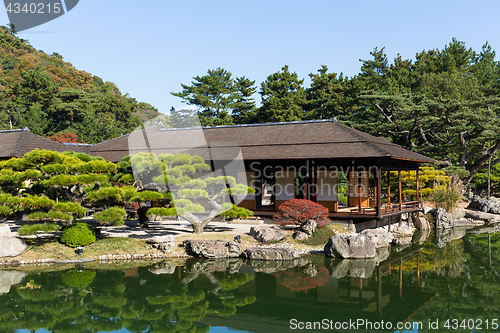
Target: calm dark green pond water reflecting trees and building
x=434 y=282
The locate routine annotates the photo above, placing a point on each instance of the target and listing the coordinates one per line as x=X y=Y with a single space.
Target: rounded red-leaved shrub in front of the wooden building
x=298 y=211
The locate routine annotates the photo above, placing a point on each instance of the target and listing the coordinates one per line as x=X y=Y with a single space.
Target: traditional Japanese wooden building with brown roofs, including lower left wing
x=355 y=175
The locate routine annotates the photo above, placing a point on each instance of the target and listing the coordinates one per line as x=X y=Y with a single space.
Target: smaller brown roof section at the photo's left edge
x=16 y=143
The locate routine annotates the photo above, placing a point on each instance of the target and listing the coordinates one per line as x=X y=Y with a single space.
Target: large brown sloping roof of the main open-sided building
x=277 y=141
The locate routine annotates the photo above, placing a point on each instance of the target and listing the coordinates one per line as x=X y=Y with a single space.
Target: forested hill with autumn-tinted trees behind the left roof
x=54 y=99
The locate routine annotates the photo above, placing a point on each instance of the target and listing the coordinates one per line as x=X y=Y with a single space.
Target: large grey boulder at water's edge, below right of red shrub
x=350 y=246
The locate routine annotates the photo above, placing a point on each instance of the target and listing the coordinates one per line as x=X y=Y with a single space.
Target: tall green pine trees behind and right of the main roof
x=444 y=103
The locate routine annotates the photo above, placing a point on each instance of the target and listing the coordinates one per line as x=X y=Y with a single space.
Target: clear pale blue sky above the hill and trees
x=148 y=48
